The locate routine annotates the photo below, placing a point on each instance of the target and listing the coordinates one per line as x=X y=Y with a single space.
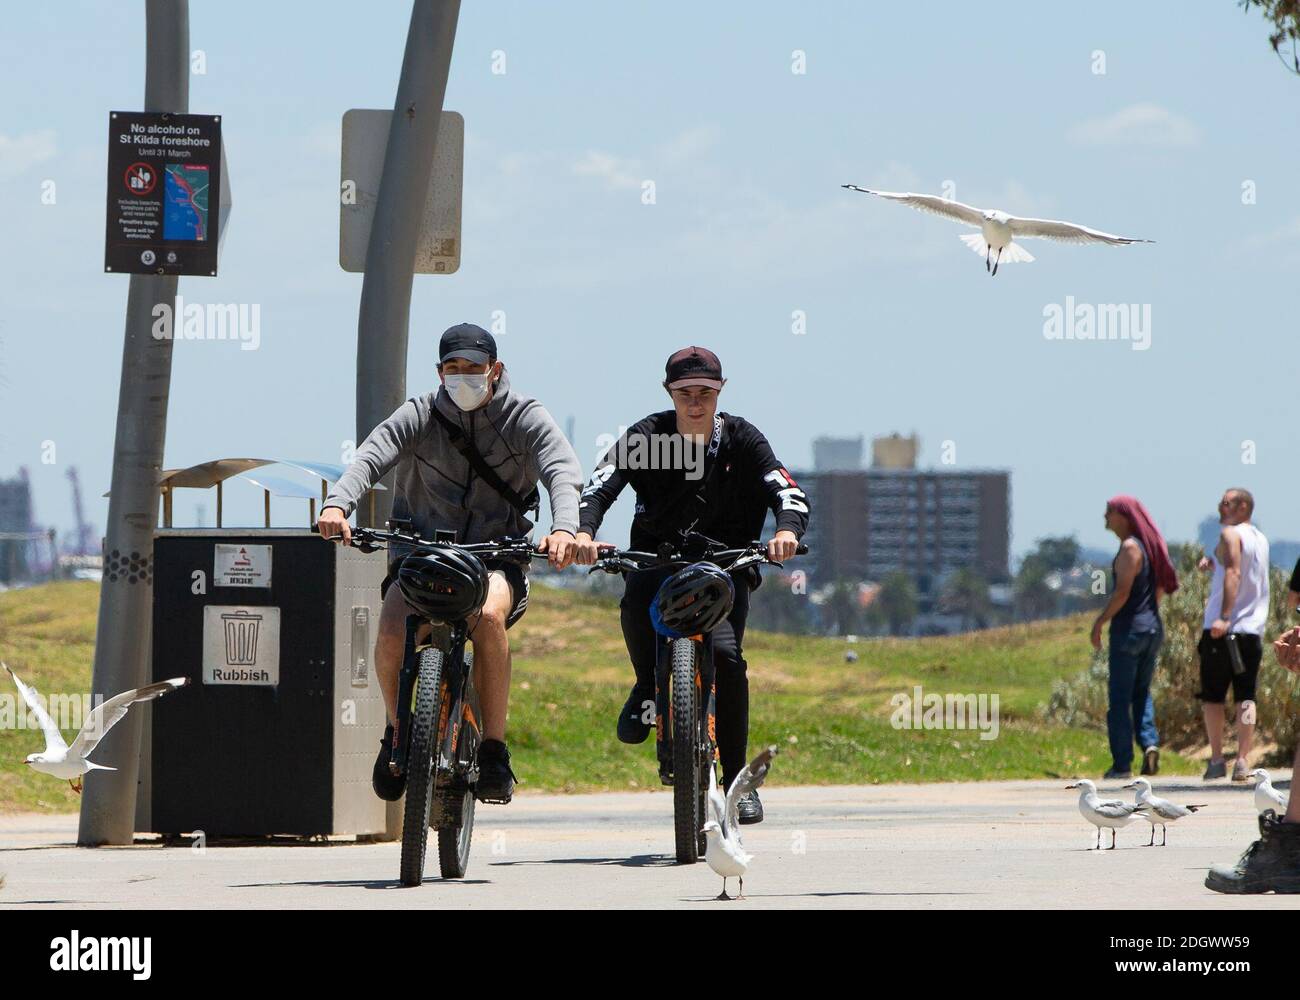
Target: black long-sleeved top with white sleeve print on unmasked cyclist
x=725 y=496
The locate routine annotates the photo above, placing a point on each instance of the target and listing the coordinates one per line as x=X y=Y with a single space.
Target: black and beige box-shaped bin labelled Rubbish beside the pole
x=279 y=731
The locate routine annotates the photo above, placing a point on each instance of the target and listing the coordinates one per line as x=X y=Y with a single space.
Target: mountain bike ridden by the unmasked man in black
x=686 y=691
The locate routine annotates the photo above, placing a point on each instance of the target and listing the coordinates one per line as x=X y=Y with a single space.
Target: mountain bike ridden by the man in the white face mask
x=437 y=734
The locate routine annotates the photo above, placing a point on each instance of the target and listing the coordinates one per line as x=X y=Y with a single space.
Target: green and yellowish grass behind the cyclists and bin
x=830 y=718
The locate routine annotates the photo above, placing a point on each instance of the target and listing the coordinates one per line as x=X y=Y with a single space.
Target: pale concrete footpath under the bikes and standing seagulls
x=996 y=845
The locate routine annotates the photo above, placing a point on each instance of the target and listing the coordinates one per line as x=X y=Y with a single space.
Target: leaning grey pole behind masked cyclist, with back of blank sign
x=382 y=331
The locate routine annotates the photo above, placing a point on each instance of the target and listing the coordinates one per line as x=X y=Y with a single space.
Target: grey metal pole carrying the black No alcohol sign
x=123 y=638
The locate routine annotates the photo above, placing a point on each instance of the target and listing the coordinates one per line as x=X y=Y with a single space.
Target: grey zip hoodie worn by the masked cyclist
x=436 y=487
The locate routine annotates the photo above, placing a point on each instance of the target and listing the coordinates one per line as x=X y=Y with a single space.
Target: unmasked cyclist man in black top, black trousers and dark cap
x=723 y=486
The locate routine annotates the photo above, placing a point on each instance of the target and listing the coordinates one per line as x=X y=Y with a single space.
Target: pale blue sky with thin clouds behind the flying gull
x=1173 y=123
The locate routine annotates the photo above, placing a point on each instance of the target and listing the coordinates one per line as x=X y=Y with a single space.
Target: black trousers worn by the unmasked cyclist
x=731 y=681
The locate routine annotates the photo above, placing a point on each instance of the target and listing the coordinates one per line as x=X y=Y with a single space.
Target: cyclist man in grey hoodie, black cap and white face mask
x=469 y=458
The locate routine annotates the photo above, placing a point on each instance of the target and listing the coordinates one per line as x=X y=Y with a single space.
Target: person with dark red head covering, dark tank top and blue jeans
x=1142 y=574
